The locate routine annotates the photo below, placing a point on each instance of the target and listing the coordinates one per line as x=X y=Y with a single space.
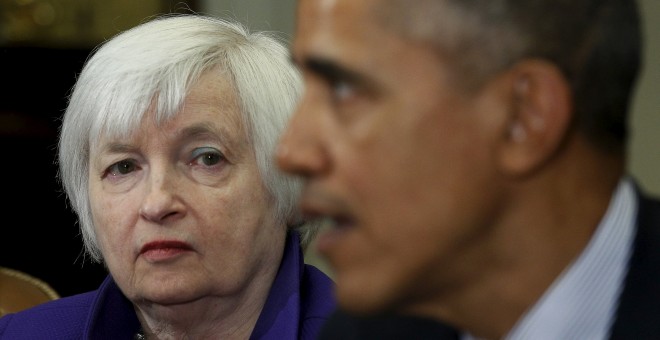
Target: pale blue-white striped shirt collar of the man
x=582 y=302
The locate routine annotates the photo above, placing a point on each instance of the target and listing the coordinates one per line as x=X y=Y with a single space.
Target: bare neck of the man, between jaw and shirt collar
x=546 y=224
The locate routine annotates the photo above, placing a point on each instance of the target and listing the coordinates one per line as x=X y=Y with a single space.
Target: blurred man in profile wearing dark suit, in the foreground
x=471 y=158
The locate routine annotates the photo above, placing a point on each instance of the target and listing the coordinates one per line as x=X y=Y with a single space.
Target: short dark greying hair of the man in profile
x=595 y=43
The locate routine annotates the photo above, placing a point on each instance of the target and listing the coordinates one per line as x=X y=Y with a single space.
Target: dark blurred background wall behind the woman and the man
x=43 y=45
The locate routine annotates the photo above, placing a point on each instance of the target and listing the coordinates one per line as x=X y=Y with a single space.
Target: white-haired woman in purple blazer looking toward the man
x=166 y=155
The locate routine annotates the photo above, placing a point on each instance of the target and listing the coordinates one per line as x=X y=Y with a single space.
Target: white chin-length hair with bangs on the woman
x=157 y=62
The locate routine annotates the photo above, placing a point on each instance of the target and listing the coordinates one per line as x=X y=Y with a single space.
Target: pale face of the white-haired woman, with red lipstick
x=180 y=209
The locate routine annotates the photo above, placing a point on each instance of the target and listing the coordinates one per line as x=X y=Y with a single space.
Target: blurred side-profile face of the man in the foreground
x=393 y=153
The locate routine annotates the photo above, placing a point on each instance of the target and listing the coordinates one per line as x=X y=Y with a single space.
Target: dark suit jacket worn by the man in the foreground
x=638 y=313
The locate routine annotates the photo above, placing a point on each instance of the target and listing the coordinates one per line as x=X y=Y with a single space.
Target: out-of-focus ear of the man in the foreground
x=539 y=118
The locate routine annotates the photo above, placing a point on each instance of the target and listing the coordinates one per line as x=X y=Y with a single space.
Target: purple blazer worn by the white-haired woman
x=299 y=302
